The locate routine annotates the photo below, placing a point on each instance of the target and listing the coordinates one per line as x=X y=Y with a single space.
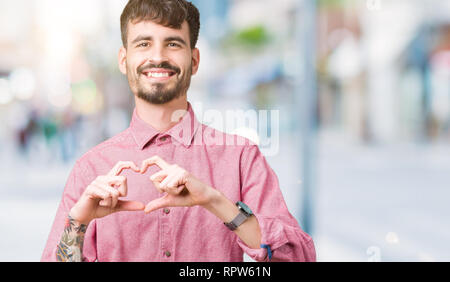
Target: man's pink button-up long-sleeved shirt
x=186 y=234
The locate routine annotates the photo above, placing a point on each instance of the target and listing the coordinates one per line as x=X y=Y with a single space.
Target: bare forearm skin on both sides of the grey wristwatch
x=249 y=231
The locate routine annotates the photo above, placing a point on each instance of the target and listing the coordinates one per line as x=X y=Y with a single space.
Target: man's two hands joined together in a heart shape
x=102 y=196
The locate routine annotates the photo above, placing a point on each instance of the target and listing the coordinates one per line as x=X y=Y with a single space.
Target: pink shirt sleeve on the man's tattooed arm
x=78 y=180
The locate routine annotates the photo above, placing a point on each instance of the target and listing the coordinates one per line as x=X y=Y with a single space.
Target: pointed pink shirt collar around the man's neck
x=183 y=132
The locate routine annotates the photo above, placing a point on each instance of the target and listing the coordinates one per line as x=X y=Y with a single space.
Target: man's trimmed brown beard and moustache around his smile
x=160 y=93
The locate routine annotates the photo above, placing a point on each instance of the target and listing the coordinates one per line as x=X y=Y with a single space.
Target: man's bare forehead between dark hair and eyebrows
x=156 y=30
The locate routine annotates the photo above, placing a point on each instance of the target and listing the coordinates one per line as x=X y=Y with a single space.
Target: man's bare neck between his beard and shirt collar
x=160 y=117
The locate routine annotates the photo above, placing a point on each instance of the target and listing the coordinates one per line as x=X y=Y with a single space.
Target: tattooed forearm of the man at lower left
x=70 y=248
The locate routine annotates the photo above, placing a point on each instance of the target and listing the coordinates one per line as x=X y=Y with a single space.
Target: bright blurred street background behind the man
x=362 y=88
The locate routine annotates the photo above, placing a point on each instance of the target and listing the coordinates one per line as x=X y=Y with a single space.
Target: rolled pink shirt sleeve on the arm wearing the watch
x=282 y=239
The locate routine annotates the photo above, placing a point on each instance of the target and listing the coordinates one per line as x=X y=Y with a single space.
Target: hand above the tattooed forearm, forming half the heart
x=101 y=197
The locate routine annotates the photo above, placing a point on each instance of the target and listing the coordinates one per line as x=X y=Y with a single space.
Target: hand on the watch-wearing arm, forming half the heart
x=182 y=188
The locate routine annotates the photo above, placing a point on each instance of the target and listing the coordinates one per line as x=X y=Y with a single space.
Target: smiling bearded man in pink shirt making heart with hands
x=174 y=205
